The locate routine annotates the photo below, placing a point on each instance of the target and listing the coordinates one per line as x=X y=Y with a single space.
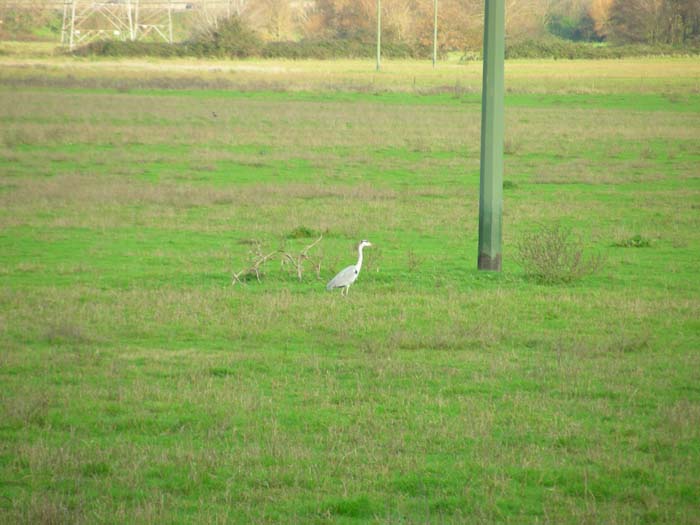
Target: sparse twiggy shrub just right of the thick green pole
x=552 y=255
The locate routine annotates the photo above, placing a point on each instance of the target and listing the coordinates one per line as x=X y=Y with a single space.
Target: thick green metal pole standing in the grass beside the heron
x=492 y=124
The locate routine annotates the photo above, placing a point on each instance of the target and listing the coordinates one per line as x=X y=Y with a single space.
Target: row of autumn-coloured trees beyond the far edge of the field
x=674 y=22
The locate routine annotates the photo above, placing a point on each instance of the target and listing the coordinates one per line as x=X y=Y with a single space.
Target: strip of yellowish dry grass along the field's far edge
x=533 y=76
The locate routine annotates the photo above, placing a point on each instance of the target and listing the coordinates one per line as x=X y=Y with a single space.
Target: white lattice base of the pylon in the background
x=88 y=20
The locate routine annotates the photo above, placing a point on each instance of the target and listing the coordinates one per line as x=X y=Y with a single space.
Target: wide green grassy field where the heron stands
x=138 y=385
